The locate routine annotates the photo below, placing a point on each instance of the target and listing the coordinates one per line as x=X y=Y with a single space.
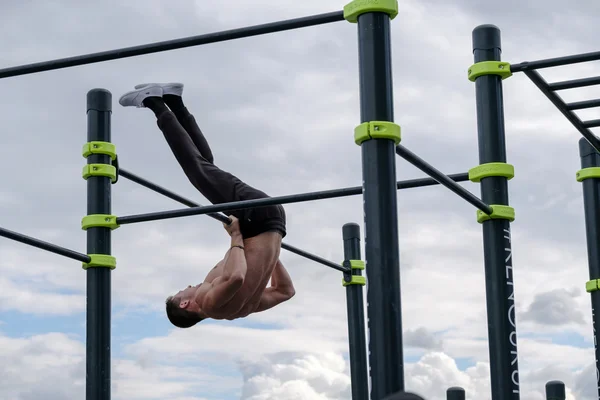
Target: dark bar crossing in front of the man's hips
x=238 y=205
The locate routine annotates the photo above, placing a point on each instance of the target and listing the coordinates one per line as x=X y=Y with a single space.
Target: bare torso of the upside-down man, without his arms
x=262 y=254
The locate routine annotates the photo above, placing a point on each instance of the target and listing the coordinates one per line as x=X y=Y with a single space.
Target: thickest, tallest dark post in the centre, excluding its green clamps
x=380 y=208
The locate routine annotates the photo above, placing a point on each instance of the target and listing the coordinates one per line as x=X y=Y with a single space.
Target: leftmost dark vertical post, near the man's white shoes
x=98 y=242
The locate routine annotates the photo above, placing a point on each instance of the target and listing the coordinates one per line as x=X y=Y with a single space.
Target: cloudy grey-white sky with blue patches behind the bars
x=279 y=112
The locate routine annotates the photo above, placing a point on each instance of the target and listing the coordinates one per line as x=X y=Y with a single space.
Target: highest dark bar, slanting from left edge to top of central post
x=168 y=45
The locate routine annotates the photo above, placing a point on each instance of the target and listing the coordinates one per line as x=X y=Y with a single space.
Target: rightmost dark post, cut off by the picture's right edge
x=591 y=202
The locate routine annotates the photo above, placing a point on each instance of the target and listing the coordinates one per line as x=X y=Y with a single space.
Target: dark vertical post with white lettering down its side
x=502 y=334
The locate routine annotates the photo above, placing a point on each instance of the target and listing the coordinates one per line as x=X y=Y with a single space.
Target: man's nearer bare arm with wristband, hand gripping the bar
x=234 y=271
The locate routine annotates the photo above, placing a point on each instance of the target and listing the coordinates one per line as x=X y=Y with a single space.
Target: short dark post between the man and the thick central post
x=356 y=315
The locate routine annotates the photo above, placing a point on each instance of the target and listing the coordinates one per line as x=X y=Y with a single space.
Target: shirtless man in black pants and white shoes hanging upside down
x=237 y=285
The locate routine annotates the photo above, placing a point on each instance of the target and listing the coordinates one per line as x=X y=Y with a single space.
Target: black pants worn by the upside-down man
x=195 y=157
